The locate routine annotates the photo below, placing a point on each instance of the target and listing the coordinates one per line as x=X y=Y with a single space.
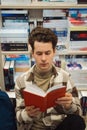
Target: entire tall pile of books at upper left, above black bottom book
x=15 y=30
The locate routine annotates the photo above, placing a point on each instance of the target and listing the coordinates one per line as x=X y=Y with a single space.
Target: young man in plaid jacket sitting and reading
x=66 y=115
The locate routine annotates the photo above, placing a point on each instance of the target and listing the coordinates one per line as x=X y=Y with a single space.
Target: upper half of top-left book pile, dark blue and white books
x=15 y=18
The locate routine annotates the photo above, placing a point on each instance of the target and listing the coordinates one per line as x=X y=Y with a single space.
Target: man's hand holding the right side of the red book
x=65 y=101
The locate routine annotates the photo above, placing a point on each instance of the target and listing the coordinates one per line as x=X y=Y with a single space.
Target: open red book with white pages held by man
x=33 y=95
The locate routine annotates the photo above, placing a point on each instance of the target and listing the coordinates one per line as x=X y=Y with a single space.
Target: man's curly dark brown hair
x=44 y=35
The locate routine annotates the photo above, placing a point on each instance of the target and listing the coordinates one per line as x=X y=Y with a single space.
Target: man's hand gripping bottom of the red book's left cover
x=32 y=111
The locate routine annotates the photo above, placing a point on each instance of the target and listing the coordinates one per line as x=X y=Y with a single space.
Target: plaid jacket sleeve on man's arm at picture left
x=21 y=114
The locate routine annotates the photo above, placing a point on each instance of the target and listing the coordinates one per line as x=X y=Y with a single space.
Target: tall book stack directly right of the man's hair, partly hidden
x=57 y=21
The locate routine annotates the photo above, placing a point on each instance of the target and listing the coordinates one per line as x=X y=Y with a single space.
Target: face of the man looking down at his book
x=43 y=54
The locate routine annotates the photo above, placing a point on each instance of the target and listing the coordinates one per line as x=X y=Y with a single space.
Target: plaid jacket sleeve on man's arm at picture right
x=75 y=106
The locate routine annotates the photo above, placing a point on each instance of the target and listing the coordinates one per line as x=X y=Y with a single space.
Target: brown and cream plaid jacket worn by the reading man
x=52 y=116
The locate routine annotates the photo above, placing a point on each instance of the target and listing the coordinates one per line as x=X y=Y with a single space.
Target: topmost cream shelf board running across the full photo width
x=45 y=5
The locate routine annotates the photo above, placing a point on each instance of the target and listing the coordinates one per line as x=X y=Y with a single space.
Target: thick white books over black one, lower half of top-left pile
x=14 y=39
